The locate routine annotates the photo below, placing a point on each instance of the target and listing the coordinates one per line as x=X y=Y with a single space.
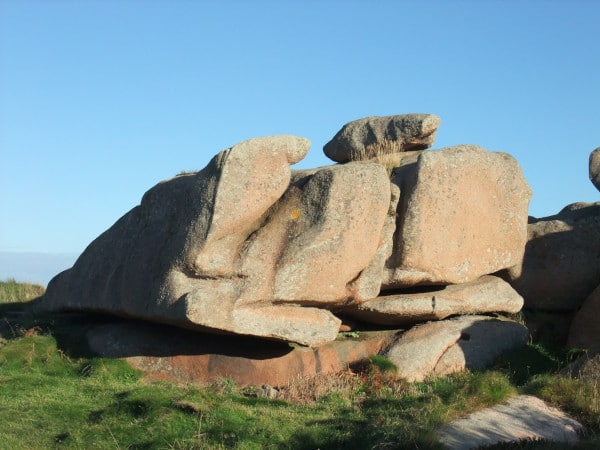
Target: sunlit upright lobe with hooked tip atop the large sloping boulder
x=253 y=174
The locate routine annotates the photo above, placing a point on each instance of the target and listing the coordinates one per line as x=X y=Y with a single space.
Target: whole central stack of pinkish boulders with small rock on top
x=394 y=235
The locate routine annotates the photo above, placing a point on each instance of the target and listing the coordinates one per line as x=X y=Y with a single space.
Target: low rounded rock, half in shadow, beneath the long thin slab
x=467 y=342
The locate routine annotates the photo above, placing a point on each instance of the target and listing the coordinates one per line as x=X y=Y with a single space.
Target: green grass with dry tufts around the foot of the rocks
x=55 y=394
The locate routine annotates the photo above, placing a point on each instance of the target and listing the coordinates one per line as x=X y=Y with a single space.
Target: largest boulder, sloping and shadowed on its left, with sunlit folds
x=226 y=248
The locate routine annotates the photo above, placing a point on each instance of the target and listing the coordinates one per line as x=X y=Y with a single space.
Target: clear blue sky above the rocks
x=100 y=100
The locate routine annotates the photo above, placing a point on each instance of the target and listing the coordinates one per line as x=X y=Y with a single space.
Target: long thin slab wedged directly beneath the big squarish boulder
x=484 y=295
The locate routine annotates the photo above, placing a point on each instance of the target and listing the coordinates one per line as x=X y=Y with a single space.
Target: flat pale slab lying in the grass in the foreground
x=521 y=418
